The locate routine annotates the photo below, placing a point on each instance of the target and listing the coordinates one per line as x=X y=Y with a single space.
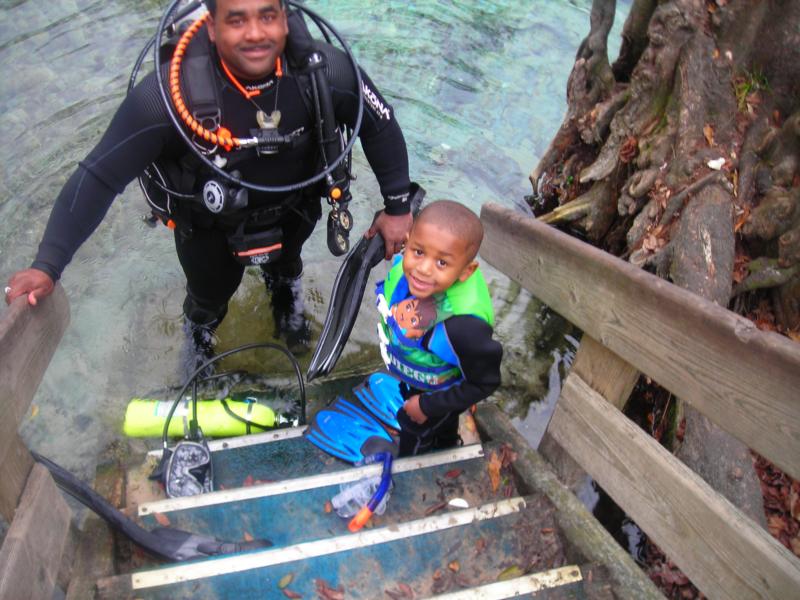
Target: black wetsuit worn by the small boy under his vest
x=479 y=357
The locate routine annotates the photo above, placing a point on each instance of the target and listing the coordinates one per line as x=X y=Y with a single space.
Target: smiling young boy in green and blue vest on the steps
x=436 y=326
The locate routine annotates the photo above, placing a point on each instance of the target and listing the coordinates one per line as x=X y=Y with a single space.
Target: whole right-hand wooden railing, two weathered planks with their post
x=745 y=380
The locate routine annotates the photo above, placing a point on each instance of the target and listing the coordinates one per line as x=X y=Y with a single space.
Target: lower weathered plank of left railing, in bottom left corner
x=31 y=554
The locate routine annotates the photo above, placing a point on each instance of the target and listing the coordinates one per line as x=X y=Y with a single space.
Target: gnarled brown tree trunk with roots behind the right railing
x=686 y=161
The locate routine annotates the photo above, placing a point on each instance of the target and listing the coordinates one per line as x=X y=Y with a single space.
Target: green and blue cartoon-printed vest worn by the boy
x=413 y=339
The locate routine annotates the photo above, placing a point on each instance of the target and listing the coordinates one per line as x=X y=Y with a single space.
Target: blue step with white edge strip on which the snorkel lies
x=296 y=510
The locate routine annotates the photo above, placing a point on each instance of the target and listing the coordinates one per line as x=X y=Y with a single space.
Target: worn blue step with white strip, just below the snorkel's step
x=439 y=553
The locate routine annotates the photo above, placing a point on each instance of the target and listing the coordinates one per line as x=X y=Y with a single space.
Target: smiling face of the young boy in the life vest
x=434 y=259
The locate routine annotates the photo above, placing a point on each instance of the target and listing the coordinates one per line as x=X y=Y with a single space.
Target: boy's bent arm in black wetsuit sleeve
x=479 y=358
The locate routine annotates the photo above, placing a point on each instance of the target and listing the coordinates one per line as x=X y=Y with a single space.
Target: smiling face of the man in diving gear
x=249 y=35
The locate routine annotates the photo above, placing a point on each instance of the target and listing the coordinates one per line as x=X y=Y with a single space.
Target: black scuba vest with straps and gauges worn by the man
x=171 y=186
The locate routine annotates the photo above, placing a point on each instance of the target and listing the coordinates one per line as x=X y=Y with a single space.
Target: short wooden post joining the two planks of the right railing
x=612 y=378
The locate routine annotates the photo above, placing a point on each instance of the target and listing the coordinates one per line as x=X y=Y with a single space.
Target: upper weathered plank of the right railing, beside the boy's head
x=743 y=379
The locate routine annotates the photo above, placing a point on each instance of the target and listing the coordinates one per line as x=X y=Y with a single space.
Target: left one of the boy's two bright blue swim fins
x=345 y=431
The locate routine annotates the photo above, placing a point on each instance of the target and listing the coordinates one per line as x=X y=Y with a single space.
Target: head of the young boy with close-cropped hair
x=441 y=247
